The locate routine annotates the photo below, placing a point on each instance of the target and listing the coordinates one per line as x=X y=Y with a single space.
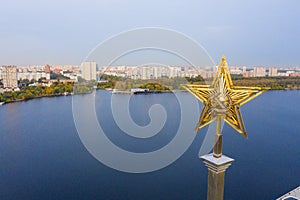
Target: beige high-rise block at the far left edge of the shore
x=9 y=77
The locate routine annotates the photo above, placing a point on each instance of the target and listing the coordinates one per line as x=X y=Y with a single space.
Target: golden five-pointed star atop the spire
x=222 y=99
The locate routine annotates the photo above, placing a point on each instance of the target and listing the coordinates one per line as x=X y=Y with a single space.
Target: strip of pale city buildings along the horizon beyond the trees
x=92 y=71
